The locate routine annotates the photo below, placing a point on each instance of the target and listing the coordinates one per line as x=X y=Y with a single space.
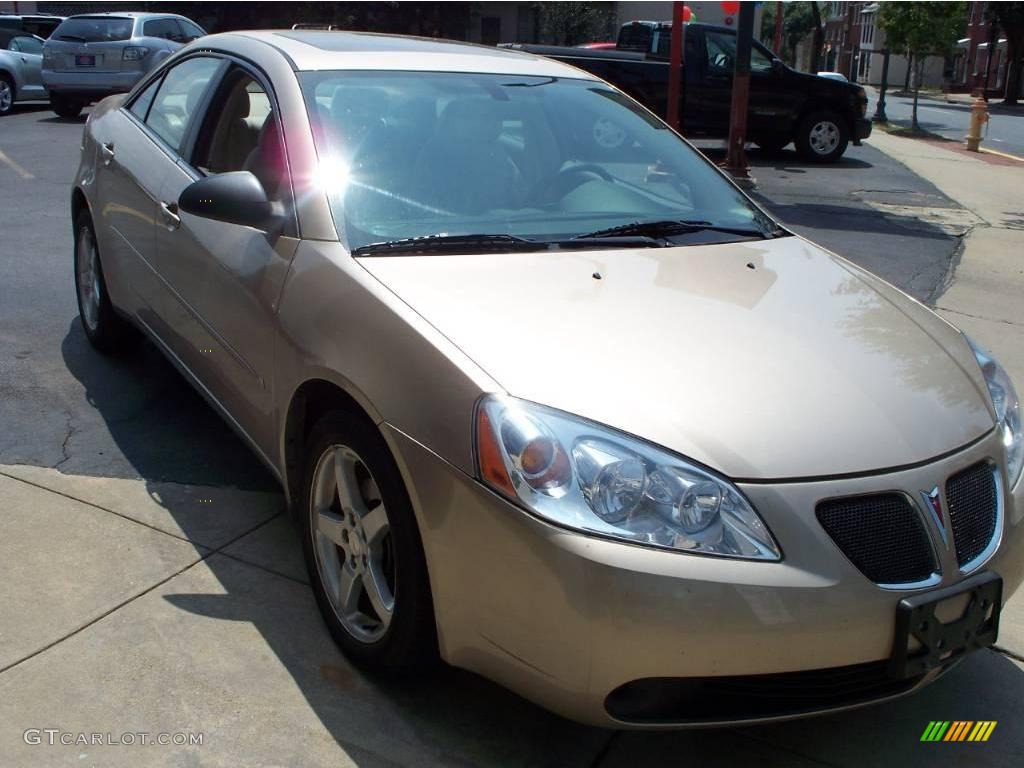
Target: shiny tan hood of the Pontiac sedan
x=764 y=360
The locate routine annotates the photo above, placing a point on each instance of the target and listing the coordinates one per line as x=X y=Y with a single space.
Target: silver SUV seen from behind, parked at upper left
x=93 y=56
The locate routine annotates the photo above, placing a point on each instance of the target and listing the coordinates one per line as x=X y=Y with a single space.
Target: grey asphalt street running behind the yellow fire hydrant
x=1005 y=132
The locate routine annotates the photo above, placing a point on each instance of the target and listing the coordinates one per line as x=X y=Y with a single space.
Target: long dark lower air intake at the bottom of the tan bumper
x=749 y=697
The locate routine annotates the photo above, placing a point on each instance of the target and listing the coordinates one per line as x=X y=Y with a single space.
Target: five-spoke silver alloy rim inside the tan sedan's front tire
x=353 y=543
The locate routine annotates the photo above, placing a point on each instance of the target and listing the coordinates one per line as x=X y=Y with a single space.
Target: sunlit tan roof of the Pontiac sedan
x=317 y=50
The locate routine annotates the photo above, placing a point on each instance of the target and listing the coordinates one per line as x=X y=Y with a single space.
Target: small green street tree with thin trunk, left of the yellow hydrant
x=922 y=30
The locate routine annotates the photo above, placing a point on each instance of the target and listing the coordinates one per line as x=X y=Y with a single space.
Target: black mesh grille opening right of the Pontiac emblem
x=972 y=499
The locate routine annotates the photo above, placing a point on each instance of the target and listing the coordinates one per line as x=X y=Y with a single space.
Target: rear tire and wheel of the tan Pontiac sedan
x=107 y=331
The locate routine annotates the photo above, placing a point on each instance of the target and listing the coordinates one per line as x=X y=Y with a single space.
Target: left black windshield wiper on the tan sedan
x=457 y=244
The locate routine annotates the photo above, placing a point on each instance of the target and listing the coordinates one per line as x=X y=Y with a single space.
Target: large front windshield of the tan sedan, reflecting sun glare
x=407 y=155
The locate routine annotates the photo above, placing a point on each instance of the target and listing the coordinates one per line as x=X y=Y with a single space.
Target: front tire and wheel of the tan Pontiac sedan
x=340 y=552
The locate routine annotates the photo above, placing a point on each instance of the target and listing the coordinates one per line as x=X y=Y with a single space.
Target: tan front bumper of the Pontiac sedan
x=566 y=620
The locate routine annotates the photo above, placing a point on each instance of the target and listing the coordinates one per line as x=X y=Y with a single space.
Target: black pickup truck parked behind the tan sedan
x=821 y=116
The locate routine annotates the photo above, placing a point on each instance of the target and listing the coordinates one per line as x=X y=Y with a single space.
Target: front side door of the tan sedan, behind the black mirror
x=228 y=277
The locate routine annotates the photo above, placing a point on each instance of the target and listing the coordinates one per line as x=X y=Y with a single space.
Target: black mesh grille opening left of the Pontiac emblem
x=882 y=535
